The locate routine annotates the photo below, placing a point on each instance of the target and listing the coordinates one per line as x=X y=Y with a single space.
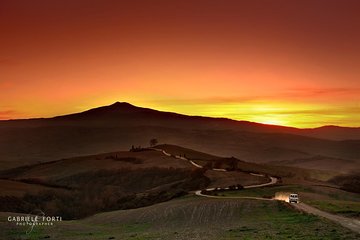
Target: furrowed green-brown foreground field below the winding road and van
x=197 y=218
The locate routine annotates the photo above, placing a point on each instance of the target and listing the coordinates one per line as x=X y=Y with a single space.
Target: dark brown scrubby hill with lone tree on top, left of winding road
x=81 y=186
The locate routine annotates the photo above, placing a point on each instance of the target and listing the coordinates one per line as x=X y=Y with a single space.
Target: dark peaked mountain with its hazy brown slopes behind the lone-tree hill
x=120 y=125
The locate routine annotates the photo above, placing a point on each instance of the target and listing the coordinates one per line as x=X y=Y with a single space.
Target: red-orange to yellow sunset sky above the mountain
x=293 y=63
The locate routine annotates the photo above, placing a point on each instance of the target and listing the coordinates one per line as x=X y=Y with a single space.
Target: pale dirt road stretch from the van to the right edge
x=350 y=223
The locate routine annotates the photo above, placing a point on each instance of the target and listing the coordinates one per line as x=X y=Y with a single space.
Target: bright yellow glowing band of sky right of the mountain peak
x=274 y=113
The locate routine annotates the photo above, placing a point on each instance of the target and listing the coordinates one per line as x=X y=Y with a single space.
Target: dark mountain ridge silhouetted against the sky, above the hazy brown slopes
x=120 y=113
